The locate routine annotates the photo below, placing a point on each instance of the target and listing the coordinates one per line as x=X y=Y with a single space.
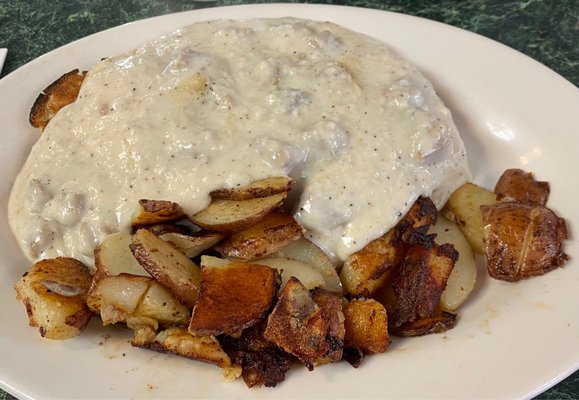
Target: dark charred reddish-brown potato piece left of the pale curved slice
x=419 y=283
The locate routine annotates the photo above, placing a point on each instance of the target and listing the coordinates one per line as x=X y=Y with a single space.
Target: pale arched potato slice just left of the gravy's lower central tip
x=305 y=251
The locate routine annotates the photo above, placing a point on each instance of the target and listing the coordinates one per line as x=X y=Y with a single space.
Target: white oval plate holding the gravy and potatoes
x=512 y=340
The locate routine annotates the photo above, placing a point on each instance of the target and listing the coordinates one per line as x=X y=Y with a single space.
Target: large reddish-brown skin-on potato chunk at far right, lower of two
x=522 y=240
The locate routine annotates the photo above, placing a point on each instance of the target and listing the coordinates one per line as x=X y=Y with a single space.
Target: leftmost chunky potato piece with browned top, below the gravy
x=54 y=292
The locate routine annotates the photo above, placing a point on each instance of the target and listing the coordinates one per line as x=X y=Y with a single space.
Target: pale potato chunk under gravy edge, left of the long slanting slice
x=113 y=257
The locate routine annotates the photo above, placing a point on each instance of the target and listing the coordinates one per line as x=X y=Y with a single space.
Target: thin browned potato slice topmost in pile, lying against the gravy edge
x=262 y=188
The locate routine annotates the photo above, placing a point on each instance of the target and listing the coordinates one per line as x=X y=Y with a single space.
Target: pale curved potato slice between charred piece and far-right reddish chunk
x=463 y=276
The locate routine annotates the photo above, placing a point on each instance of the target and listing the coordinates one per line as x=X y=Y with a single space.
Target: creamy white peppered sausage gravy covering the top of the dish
x=223 y=103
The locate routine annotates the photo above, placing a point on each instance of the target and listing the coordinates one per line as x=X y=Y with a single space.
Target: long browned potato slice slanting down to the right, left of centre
x=169 y=266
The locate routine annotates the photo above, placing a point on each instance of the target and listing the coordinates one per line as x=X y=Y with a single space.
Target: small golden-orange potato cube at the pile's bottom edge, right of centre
x=366 y=324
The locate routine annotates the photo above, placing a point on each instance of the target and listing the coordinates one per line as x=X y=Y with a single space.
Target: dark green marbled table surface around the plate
x=546 y=30
